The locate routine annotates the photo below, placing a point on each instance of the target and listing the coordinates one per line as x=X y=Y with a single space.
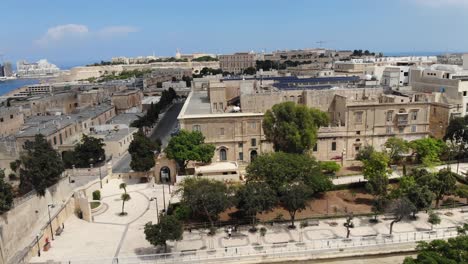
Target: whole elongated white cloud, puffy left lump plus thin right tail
x=73 y=32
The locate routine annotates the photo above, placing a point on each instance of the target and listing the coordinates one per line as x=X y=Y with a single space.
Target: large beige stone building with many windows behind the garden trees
x=229 y=113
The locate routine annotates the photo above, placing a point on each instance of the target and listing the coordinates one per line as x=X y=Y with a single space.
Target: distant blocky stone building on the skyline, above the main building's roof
x=237 y=62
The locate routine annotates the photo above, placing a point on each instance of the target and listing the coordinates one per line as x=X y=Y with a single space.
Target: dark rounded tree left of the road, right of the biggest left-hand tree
x=89 y=150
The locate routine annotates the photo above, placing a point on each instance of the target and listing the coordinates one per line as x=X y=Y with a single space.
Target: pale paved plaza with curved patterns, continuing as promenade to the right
x=111 y=235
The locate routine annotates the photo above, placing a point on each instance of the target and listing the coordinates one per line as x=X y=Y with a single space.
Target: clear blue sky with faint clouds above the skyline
x=71 y=32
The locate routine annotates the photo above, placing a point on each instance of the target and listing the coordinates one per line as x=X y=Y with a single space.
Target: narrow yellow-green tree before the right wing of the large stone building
x=376 y=173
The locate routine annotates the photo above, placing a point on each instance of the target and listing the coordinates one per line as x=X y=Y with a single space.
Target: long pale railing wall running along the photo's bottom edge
x=278 y=251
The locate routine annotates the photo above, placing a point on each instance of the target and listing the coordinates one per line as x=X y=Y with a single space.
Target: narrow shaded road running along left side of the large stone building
x=163 y=131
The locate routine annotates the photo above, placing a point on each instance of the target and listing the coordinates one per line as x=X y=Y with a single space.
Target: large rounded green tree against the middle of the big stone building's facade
x=293 y=128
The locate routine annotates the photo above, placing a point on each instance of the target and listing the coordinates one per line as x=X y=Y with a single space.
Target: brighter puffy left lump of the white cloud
x=62 y=32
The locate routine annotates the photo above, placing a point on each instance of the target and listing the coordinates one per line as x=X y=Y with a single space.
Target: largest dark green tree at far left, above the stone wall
x=41 y=166
